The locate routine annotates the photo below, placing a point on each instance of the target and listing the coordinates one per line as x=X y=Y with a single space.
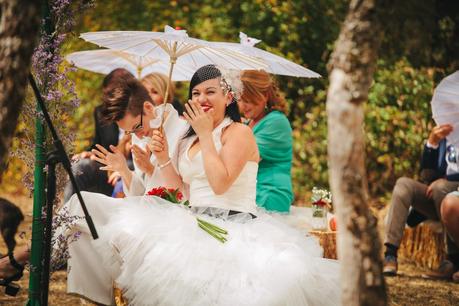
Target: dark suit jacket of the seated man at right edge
x=435 y=160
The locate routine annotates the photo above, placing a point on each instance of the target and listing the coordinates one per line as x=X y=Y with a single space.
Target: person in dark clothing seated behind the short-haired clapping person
x=87 y=173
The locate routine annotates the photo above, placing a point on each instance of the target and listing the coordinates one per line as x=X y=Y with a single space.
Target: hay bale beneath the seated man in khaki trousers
x=423 y=245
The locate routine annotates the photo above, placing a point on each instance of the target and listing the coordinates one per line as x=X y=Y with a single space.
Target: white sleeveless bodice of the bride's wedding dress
x=240 y=196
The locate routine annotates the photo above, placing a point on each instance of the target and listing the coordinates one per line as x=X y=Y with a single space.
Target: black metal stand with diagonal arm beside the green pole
x=57 y=156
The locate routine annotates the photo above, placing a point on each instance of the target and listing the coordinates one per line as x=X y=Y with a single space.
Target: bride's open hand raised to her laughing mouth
x=200 y=121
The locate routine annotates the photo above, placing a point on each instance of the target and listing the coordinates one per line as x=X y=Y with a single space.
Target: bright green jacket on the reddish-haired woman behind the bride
x=274 y=181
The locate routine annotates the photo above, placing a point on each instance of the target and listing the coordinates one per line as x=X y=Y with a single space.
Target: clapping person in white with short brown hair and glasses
x=129 y=105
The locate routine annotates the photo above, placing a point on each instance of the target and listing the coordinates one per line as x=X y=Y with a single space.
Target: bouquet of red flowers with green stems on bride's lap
x=175 y=196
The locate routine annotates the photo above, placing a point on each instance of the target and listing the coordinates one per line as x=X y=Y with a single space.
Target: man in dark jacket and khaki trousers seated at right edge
x=426 y=198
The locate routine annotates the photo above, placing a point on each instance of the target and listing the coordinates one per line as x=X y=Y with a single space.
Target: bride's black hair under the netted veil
x=203 y=74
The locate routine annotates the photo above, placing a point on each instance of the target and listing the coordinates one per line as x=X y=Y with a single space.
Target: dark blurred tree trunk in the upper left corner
x=19 y=26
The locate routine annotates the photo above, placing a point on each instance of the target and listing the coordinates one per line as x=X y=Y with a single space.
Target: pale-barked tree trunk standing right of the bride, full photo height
x=351 y=70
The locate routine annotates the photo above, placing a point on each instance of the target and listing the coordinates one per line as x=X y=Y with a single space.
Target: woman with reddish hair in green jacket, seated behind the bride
x=264 y=107
